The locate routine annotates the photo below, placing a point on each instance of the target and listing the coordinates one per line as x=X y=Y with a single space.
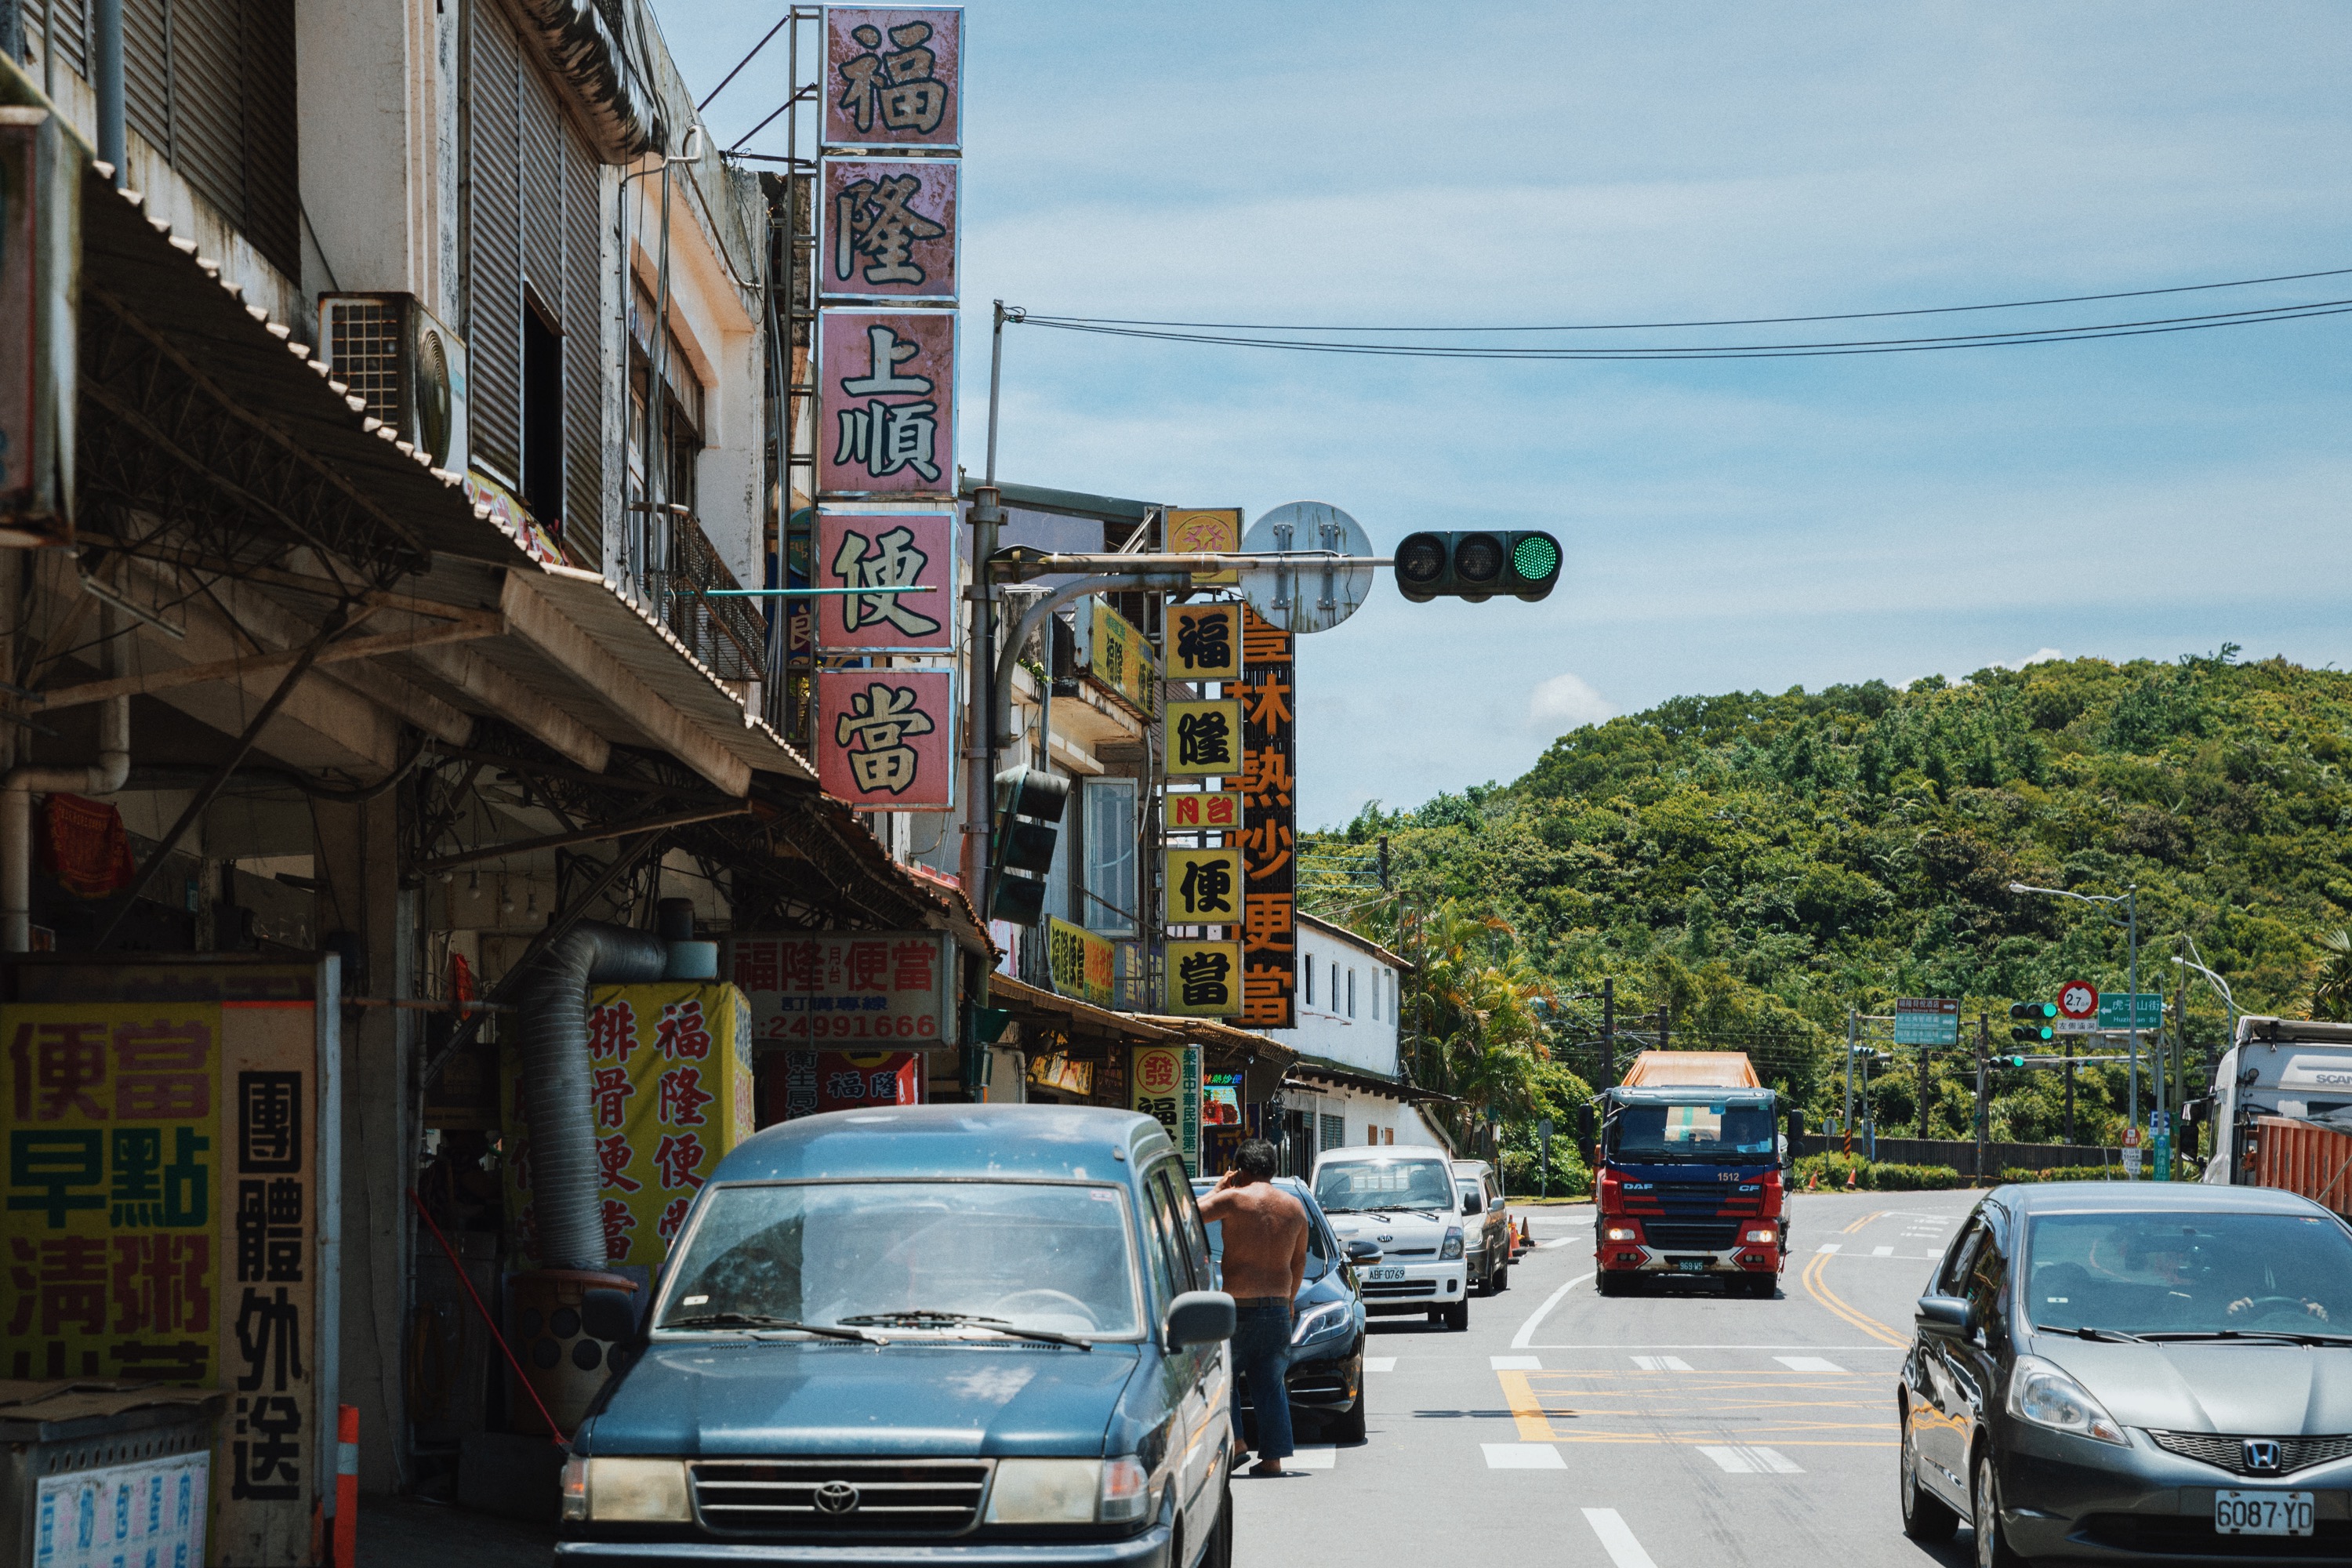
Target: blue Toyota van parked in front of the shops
x=942 y=1334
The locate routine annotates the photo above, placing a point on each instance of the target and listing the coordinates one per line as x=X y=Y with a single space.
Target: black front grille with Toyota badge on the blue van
x=838 y=1496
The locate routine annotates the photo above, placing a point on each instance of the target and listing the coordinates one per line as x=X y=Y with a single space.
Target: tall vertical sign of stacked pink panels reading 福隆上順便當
x=888 y=260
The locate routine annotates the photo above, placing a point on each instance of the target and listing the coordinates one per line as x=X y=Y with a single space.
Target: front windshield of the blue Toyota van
x=1027 y=1254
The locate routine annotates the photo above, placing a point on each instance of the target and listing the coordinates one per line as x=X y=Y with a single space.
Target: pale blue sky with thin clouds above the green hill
x=1728 y=525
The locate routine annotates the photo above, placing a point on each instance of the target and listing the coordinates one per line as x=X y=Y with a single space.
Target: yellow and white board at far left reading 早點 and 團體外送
x=163 y=1224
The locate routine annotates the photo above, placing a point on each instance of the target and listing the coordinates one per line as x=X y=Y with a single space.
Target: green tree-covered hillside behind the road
x=1760 y=864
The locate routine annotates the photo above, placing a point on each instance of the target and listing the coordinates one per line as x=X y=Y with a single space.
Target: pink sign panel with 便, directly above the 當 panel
x=883 y=556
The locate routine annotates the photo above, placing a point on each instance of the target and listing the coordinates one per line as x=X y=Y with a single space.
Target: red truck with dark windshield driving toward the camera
x=1690 y=1177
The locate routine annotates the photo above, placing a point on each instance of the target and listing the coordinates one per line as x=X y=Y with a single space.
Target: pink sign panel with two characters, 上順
x=886 y=403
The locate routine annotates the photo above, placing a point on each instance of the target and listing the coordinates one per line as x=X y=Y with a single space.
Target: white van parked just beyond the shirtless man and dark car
x=1403 y=1202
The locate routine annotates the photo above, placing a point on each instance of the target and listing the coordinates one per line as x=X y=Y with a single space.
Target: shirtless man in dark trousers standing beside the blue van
x=1267 y=1257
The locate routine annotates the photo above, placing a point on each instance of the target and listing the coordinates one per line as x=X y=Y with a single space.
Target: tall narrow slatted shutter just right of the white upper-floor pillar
x=495 y=250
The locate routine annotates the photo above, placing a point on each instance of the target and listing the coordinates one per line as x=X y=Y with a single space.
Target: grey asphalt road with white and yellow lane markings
x=1643 y=1433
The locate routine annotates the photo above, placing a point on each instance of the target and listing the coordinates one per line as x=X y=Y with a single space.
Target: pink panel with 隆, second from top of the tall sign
x=888 y=229
